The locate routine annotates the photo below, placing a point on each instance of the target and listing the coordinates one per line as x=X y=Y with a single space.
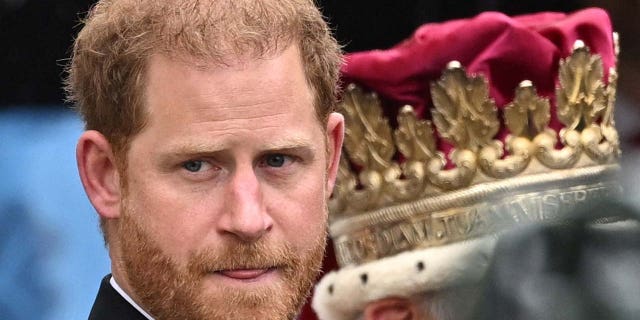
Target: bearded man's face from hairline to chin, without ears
x=224 y=215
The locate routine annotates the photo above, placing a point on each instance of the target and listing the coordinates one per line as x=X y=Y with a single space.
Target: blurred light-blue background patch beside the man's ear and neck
x=51 y=252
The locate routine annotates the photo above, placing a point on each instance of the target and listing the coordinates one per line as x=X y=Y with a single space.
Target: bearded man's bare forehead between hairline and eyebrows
x=245 y=94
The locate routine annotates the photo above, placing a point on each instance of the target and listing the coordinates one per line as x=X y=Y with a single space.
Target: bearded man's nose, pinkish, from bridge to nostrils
x=245 y=216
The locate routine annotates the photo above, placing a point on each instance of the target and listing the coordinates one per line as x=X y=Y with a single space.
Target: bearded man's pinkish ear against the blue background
x=99 y=173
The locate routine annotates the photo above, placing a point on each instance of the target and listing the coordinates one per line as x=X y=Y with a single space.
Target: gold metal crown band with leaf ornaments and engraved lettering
x=404 y=195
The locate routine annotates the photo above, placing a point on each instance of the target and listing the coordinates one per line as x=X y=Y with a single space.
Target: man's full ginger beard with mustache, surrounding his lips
x=169 y=291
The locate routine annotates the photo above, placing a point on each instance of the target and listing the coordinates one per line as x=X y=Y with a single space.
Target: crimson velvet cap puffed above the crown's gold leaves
x=505 y=50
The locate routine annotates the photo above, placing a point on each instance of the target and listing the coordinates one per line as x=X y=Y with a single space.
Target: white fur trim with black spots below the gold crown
x=342 y=294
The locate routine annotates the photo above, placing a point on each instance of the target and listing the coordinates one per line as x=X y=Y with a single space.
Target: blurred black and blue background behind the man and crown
x=52 y=256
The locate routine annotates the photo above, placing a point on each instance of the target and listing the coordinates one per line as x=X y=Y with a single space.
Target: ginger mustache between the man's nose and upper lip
x=239 y=255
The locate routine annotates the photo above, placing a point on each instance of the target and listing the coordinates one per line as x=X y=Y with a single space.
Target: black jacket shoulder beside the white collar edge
x=110 y=305
